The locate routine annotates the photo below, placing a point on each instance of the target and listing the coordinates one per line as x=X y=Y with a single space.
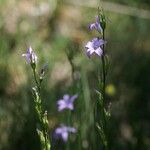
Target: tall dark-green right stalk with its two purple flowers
x=97 y=47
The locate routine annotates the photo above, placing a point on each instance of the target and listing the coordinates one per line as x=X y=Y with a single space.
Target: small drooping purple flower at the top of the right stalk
x=96 y=25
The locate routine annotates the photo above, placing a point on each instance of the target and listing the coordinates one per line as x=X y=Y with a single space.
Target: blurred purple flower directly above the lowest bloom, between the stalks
x=66 y=102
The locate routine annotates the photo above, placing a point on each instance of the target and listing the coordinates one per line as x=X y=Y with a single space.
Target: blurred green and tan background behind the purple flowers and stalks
x=55 y=28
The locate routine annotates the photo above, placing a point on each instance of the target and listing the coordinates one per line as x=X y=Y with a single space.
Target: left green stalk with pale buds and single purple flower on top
x=31 y=59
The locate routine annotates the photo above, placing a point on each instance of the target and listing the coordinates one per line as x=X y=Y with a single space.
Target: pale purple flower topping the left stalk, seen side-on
x=30 y=56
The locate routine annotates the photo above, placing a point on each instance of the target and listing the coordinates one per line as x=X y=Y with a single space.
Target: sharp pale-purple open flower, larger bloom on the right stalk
x=94 y=46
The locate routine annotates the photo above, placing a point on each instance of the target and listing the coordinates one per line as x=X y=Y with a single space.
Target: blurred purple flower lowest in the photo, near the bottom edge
x=63 y=132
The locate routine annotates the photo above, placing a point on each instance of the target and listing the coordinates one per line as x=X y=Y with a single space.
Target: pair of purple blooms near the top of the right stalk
x=95 y=45
